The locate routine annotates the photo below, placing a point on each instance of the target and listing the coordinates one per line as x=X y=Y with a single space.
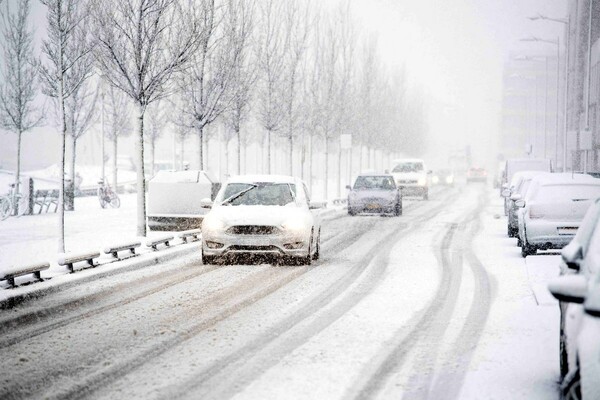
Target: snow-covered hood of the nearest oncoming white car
x=256 y=215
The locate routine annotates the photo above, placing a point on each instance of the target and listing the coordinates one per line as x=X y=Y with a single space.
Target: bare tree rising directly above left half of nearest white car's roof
x=240 y=28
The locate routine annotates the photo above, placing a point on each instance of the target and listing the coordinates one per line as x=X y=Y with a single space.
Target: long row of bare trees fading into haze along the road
x=301 y=71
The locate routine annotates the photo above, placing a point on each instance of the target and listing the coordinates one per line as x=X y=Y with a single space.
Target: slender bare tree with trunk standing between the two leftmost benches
x=68 y=65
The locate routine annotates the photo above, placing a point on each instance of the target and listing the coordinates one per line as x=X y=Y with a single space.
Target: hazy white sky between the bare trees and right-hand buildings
x=455 y=49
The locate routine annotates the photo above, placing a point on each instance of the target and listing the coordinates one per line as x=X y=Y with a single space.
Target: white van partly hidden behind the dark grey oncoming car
x=411 y=175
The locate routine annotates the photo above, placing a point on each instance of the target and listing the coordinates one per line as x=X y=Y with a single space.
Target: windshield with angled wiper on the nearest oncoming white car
x=259 y=194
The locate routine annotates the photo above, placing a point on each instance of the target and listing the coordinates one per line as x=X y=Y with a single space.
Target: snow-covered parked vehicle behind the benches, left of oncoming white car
x=174 y=199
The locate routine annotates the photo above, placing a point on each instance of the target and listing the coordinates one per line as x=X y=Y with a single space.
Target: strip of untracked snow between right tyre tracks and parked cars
x=517 y=356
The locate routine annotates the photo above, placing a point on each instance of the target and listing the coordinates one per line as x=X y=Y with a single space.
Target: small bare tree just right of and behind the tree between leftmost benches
x=79 y=112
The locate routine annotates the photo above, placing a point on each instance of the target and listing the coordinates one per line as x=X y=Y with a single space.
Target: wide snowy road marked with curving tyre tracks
x=435 y=304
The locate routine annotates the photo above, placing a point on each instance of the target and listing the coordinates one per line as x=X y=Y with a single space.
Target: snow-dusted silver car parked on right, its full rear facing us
x=553 y=209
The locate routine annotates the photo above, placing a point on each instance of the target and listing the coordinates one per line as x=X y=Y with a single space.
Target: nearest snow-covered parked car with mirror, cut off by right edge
x=578 y=291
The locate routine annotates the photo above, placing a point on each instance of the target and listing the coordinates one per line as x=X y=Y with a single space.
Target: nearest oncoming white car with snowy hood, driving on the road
x=262 y=215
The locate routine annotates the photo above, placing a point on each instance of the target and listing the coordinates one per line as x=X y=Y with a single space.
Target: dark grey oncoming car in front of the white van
x=374 y=194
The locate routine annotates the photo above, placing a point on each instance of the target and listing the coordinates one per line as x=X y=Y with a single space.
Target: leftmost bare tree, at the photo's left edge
x=19 y=72
